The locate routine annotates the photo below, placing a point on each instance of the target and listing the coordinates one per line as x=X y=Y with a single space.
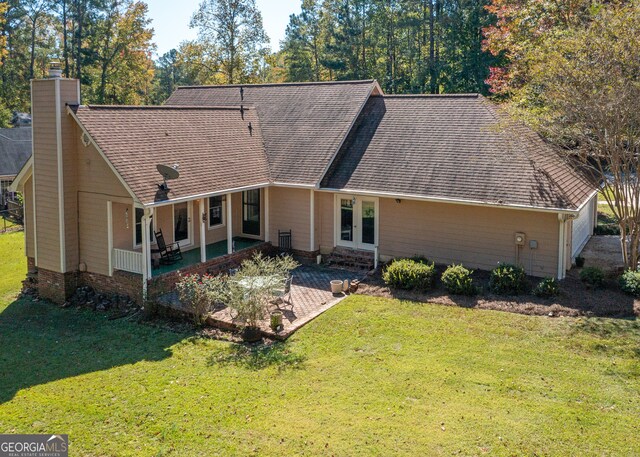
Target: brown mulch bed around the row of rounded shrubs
x=575 y=298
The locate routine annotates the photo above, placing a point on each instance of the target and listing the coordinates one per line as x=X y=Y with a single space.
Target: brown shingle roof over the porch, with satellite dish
x=215 y=148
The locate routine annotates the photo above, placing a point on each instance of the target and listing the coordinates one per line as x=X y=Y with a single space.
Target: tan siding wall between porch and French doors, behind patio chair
x=289 y=210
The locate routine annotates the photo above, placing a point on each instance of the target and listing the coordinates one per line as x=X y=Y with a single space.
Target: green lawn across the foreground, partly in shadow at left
x=369 y=377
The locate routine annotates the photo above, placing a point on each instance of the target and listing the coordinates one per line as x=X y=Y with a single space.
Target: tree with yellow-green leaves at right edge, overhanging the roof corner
x=574 y=76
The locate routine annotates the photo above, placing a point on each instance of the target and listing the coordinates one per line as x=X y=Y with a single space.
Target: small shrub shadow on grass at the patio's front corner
x=258 y=357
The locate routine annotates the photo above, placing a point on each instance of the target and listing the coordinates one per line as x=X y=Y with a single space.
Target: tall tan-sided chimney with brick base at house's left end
x=54 y=175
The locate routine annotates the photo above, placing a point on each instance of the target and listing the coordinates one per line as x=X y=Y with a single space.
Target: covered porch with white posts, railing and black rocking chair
x=201 y=229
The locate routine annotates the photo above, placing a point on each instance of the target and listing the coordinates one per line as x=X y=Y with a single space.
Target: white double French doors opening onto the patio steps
x=356 y=221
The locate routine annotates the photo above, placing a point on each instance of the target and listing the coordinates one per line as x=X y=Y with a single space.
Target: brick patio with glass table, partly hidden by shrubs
x=310 y=297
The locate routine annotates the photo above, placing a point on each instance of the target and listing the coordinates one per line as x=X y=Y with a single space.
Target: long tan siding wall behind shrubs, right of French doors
x=479 y=237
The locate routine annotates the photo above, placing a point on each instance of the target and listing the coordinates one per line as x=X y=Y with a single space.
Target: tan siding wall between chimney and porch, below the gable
x=93 y=241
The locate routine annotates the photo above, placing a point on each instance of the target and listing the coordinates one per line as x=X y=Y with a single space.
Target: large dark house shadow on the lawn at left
x=40 y=343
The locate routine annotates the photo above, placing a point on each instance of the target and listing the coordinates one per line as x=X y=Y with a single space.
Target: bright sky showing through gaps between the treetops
x=171 y=20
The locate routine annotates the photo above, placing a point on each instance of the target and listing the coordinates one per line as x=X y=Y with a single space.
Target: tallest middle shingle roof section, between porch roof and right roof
x=303 y=124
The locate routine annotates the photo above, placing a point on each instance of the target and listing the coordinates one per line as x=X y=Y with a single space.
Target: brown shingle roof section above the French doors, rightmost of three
x=453 y=147
